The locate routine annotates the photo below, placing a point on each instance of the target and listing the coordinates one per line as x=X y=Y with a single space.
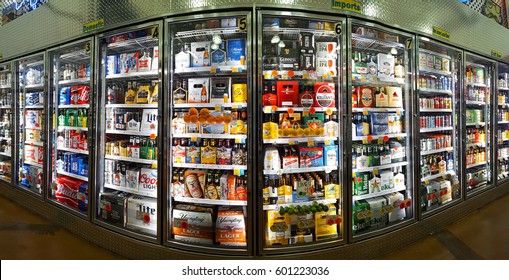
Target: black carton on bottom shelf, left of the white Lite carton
x=113 y=208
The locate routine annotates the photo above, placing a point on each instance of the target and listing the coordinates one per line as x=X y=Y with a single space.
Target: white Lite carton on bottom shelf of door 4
x=142 y=214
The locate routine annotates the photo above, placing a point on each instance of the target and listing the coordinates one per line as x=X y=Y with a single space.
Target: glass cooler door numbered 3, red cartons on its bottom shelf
x=70 y=104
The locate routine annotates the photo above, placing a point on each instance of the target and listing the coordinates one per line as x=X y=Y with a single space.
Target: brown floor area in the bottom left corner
x=25 y=236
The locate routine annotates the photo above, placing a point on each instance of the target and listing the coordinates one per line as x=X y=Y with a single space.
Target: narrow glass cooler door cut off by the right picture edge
x=502 y=99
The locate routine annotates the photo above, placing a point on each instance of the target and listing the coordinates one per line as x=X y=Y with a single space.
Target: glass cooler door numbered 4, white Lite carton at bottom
x=128 y=138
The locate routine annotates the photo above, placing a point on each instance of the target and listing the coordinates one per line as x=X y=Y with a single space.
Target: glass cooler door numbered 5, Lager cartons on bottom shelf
x=210 y=187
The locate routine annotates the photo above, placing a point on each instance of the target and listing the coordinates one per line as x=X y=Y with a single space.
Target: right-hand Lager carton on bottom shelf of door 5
x=231 y=226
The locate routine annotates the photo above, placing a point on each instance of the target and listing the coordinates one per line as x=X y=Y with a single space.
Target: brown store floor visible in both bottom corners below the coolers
x=483 y=234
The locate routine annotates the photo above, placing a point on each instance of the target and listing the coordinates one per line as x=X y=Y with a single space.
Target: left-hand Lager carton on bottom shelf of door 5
x=193 y=221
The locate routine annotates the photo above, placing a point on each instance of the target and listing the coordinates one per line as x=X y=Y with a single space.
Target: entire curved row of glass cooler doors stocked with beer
x=321 y=130
